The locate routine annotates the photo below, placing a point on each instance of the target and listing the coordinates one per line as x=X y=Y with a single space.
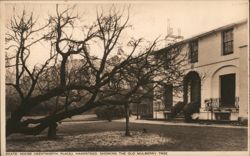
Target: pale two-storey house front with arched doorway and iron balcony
x=216 y=74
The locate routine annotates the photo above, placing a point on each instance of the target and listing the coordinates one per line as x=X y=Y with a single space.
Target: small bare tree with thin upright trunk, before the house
x=148 y=70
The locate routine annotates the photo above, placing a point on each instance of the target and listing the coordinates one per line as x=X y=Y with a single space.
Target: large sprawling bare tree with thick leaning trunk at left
x=73 y=79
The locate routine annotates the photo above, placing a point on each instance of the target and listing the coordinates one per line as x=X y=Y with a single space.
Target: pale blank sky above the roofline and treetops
x=149 y=18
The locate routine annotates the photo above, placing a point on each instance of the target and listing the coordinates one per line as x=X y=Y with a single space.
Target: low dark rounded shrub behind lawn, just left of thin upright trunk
x=110 y=112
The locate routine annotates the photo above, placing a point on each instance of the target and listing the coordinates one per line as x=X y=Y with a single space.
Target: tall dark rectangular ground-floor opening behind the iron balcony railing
x=227 y=90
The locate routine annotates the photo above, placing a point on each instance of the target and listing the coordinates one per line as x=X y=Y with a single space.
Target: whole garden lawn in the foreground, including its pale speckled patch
x=109 y=136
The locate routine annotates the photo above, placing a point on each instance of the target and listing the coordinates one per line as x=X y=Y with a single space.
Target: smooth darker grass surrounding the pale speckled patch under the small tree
x=186 y=138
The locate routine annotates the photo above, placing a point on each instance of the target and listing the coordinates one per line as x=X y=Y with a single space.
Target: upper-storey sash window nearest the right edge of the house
x=228 y=42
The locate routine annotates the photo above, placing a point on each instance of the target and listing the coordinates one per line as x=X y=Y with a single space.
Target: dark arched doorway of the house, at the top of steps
x=192 y=88
